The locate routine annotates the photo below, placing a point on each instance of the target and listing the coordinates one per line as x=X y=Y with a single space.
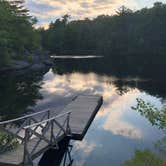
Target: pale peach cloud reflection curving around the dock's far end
x=114 y=104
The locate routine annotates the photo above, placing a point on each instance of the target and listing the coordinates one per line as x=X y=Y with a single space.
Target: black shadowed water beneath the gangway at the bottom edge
x=57 y=157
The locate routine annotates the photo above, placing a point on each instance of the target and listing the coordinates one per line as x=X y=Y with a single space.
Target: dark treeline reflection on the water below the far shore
x=126 y=75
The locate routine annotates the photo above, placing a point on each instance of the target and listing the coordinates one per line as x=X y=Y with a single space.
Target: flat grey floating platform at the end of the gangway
x=83 y=110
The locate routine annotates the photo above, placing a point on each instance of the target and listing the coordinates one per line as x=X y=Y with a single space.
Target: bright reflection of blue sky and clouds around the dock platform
x=117 y=130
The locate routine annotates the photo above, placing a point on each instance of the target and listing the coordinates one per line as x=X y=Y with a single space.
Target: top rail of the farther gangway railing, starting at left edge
x=24 y=117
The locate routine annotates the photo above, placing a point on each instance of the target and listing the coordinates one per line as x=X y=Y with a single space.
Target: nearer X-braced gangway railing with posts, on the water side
x=48 y=127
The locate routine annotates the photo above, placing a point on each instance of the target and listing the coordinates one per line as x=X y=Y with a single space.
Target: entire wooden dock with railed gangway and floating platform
x=37 y=135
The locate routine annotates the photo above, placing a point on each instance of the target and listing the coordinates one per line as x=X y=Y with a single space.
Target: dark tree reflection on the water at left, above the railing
x=18 y=92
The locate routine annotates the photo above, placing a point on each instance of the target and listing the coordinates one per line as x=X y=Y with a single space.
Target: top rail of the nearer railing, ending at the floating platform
x=47 y=120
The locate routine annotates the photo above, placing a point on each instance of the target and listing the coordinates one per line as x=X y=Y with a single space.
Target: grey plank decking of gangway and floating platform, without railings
x=83 y=110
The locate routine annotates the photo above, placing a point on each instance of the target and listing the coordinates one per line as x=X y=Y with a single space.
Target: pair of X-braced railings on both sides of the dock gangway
x=46 y=124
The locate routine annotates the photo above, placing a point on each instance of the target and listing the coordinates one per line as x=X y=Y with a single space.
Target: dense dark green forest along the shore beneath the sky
x=129 y=38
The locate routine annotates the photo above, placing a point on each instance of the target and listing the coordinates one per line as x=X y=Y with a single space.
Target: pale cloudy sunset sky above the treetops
x=49 y=10
